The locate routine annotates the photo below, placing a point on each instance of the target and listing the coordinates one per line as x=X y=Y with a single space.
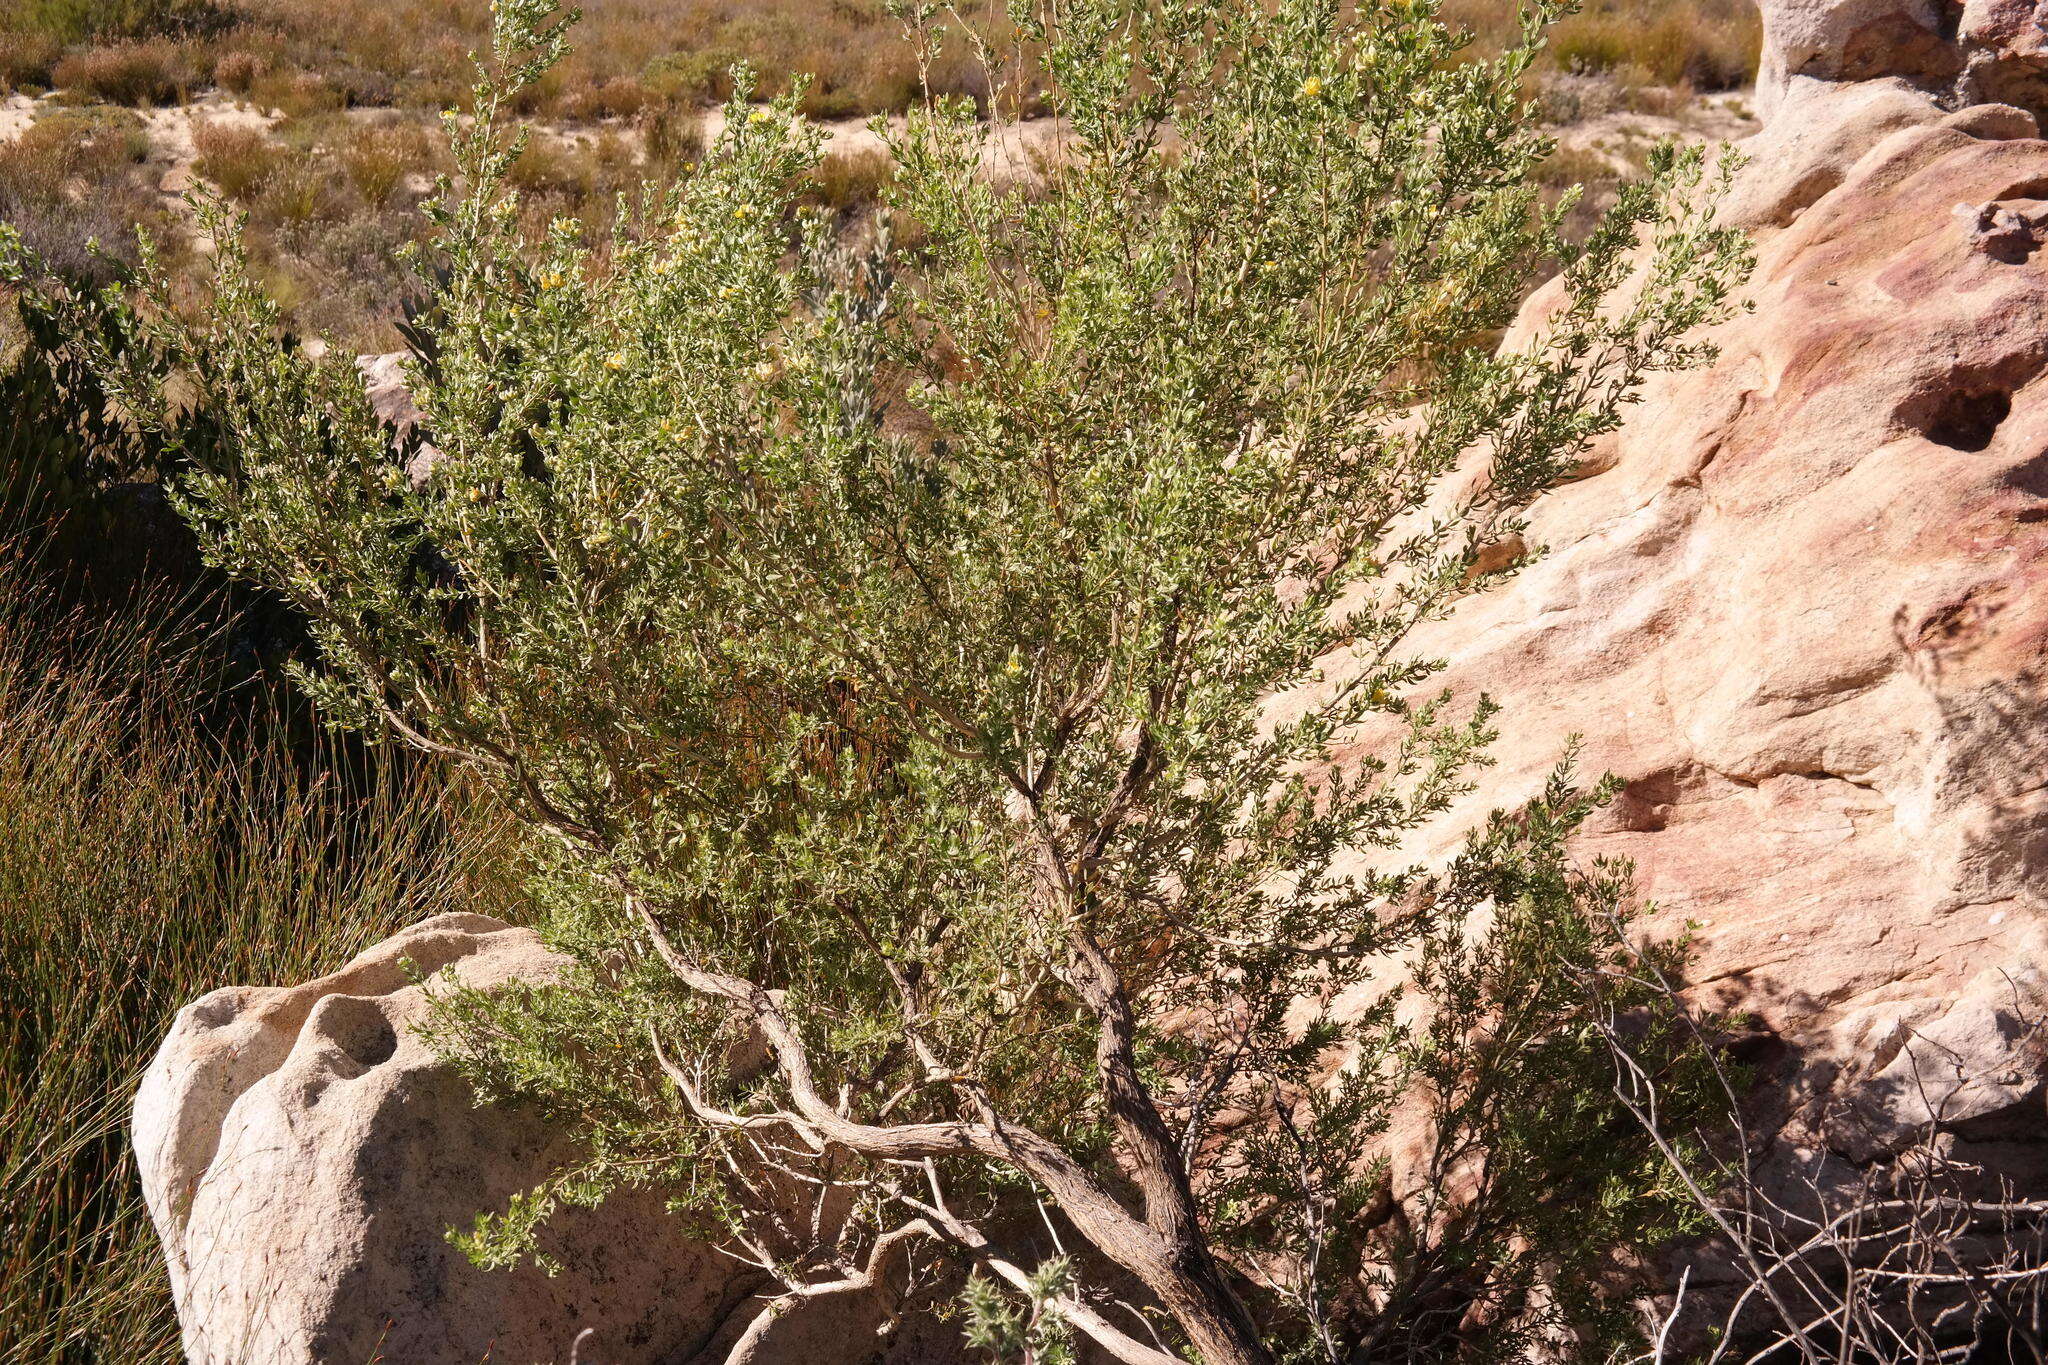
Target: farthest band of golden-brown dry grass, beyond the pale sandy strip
x=634 y=56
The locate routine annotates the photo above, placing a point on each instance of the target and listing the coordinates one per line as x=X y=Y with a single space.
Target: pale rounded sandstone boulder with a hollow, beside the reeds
x=304 y=1153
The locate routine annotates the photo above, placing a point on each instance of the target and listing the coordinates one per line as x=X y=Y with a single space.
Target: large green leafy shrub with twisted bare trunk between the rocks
x=919 y=660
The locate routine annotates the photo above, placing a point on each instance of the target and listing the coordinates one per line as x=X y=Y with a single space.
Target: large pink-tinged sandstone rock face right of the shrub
x=1801 y=607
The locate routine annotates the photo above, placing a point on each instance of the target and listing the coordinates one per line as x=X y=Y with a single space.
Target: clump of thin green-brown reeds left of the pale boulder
x=148 y=856
